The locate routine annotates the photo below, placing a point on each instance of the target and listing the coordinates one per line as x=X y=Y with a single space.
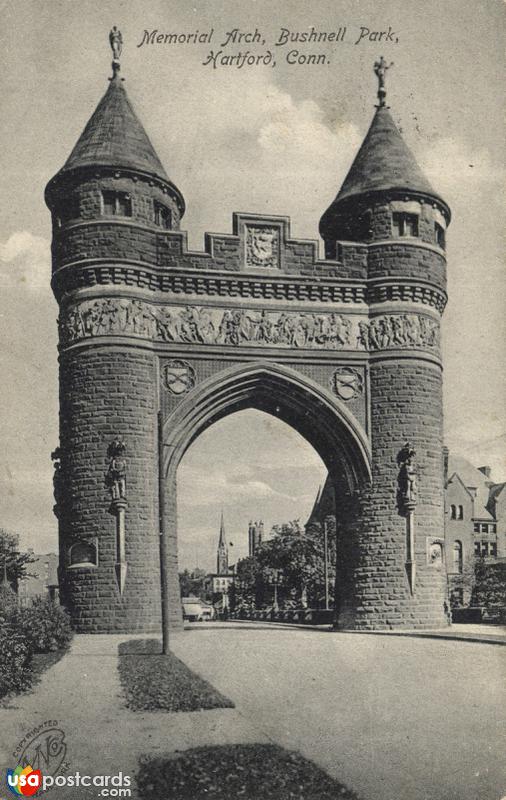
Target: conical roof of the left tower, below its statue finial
x=114 y=137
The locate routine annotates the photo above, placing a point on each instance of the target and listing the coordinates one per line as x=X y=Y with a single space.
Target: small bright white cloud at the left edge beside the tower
x=25 y=262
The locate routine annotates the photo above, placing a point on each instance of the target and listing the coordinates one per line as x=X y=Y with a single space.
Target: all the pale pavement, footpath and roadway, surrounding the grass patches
x=395 y=718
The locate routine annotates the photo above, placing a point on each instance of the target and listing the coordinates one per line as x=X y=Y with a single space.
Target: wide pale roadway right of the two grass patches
x=394 y=718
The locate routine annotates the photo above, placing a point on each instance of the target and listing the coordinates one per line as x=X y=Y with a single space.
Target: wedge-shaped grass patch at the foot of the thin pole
x=154 y=682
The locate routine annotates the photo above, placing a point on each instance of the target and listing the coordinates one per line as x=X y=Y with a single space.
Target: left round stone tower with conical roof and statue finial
x=108 y=202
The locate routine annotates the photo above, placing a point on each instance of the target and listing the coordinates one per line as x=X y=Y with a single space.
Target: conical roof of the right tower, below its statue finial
x=384 y=162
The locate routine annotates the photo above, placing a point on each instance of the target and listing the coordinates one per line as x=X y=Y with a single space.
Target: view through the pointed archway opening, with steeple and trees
x=247 y=480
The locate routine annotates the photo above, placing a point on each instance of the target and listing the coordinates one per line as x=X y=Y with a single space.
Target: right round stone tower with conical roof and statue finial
x=388 y=205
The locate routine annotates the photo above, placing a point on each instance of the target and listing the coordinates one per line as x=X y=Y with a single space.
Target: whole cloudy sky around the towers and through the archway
x=275 y=140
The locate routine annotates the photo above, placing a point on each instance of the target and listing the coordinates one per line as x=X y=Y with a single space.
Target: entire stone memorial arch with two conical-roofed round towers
x=158 y=342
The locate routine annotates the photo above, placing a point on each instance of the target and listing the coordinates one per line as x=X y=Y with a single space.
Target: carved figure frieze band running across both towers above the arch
x=237 y=327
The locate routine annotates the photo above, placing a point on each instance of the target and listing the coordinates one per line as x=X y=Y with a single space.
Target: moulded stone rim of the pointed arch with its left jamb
x=279 y=392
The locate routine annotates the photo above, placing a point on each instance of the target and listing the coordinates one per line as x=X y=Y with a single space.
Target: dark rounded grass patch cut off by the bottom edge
x=228 y=772
